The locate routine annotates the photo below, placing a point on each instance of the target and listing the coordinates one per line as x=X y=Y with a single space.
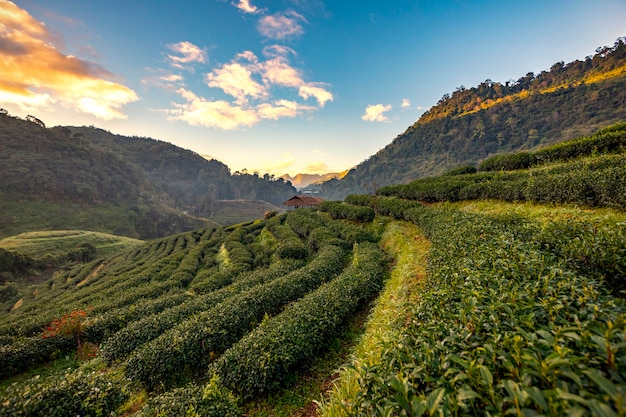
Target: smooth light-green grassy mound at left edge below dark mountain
x=58 y=242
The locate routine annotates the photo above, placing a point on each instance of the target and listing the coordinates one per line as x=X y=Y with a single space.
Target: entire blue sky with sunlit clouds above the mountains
x=283 y=86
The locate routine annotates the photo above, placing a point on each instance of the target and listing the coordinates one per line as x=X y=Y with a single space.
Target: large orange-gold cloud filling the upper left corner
x=35 y=74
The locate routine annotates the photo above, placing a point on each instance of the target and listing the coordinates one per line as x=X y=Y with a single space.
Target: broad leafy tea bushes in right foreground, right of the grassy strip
x=502 y=327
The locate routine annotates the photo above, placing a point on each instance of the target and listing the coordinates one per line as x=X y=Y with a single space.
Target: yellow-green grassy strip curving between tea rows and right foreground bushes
x=405 y=243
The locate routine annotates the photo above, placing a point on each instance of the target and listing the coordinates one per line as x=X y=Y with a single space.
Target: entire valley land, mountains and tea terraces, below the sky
x=475 y=266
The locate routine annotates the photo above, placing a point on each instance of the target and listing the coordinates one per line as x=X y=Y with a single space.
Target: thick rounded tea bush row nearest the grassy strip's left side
x=266 y=357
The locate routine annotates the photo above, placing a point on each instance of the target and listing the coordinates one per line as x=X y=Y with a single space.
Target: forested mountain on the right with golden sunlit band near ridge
x=469 y=125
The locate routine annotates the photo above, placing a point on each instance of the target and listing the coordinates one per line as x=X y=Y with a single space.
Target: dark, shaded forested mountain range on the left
x=88 y=178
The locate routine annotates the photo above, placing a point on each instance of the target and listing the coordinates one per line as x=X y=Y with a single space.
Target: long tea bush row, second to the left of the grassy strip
x=192 y=344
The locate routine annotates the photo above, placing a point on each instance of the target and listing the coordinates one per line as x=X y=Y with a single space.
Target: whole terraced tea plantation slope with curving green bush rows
x=493 y=292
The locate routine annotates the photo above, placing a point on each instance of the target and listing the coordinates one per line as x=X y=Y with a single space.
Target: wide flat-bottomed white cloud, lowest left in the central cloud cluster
x=197 y=111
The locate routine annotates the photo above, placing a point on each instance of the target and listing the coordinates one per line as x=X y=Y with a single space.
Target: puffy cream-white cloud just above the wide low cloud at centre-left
x=236 y=80
